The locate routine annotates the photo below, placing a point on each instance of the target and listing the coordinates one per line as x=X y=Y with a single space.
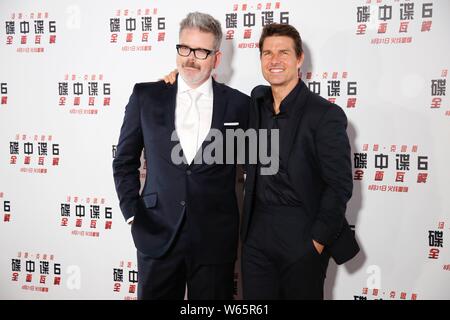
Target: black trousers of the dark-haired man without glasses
x=279 y=261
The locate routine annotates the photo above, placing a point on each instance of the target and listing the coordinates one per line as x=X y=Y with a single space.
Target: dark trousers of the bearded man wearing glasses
x=166 y=278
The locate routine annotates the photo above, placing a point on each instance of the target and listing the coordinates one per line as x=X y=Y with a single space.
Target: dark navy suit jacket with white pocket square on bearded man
x=205 y=193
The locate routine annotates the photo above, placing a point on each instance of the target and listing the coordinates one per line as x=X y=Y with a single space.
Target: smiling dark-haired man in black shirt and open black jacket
x=294 y=219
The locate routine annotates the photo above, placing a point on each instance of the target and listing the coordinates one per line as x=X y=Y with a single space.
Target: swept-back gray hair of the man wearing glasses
x=205 y=23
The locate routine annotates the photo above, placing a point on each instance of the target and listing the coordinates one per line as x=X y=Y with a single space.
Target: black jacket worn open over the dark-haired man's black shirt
x=315 y=153
